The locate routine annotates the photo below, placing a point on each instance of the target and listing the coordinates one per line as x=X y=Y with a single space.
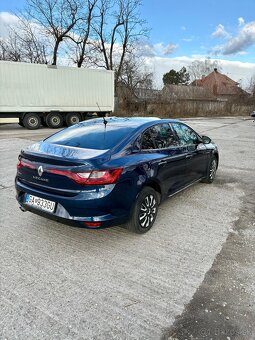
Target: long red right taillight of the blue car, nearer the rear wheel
x=95 y=177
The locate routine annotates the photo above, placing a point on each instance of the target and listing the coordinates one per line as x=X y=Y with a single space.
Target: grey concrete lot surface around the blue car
x=192 y=275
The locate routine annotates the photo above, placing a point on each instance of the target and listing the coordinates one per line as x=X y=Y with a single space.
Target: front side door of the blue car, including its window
x=197 y=154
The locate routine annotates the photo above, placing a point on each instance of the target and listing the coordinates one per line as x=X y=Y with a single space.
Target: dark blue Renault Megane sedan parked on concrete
x=111 y=171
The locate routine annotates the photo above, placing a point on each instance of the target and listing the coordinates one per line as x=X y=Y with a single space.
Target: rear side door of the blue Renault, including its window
x=169 y=161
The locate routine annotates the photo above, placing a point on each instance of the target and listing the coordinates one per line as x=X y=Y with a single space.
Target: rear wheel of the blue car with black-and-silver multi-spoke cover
x=144 y=212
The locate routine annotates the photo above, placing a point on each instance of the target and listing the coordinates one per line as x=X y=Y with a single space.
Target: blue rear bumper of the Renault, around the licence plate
x=71 y=215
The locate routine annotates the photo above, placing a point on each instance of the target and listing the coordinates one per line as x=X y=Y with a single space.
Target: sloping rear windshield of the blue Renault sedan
x=94 y=136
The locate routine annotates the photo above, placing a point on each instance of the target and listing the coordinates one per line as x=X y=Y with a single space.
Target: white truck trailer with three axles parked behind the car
x=53 y=95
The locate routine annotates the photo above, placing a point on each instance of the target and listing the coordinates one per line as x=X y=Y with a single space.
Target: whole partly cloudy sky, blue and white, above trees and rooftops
x=182 y=31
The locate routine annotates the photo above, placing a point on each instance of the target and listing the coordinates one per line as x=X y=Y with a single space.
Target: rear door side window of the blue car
x=159 y=136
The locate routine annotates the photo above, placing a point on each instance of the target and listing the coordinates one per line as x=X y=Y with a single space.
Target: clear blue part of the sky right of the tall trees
x=190 y=25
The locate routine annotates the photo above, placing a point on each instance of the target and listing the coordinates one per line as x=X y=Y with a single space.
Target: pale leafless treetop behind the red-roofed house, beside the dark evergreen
x=199 y=68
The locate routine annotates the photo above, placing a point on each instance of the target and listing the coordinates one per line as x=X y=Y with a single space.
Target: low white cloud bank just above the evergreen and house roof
x=237 y=70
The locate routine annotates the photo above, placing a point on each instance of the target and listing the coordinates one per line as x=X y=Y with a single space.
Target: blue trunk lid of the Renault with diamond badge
x=51 y=166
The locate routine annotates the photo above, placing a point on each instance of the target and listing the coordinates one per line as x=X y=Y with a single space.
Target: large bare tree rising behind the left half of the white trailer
x=56 y=17
